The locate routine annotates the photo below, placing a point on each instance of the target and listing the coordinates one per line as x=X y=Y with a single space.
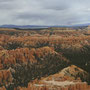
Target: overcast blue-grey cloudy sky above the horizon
x=44 y=12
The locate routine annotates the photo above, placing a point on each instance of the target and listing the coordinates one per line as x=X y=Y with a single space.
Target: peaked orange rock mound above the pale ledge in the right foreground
x=70 y=73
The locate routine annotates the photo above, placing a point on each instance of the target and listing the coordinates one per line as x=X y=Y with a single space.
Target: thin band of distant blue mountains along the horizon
x=43 y=26
